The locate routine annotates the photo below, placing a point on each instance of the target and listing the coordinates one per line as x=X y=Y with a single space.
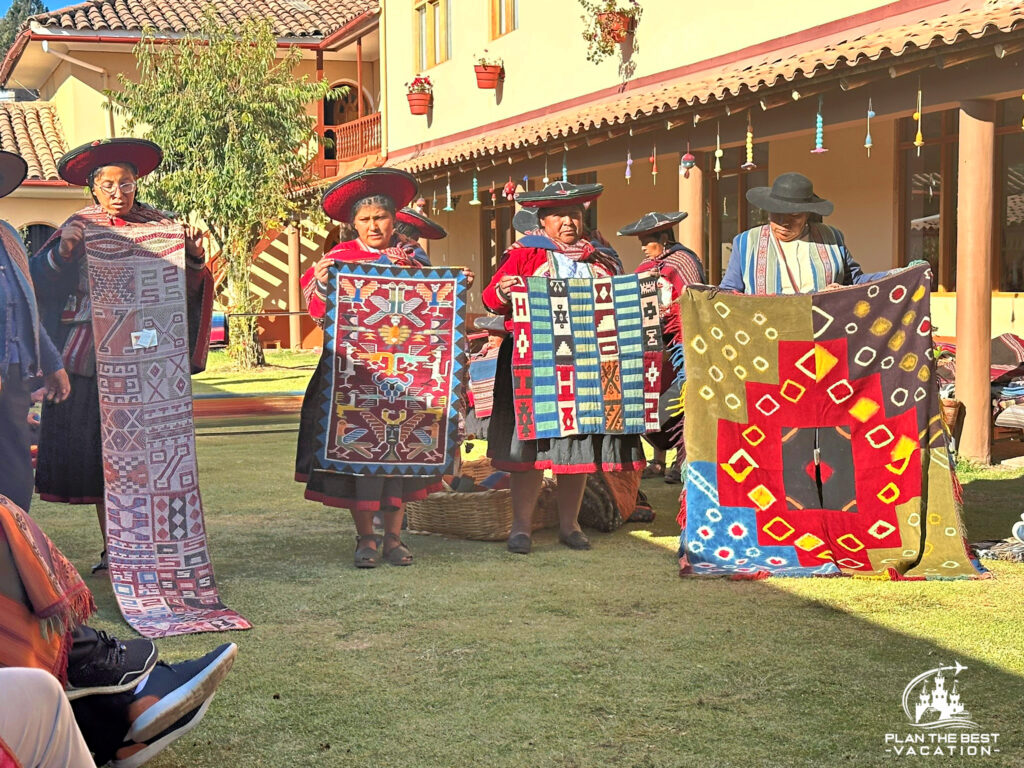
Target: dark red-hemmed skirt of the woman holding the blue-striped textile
x=576 y=455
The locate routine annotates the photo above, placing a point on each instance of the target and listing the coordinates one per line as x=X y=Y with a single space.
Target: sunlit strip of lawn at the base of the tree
x=285 y=372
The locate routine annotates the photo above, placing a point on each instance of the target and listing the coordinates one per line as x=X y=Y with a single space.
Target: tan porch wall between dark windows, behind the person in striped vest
x=863 y=189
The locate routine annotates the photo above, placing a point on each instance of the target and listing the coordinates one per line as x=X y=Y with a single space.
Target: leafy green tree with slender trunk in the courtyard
x=238 y=143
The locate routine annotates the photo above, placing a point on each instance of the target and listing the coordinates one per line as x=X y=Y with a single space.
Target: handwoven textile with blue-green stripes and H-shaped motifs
x=587 y=356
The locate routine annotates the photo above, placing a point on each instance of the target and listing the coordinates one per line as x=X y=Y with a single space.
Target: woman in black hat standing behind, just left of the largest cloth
x=677 y=268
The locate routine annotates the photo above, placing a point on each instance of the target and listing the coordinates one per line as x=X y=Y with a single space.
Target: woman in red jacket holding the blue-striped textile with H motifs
x=557 y=249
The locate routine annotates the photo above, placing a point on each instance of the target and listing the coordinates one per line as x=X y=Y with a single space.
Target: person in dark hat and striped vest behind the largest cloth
x=792 y=253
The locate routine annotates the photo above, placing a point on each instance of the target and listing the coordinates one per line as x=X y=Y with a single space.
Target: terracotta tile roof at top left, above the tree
x=289 y=18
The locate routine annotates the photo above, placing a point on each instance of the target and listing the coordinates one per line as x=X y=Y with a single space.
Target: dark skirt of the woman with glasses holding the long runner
x=70 y=465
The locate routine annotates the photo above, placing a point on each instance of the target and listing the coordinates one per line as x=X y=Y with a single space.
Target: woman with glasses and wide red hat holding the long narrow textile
x=70 y=466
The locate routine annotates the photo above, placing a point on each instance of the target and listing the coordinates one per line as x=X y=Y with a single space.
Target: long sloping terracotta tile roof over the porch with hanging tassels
x=972 y=20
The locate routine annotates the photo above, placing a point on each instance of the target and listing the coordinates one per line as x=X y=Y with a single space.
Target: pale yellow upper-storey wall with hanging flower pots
x=546 y=59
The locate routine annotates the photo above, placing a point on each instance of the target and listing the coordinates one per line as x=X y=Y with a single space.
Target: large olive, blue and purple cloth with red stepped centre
x=816 y=445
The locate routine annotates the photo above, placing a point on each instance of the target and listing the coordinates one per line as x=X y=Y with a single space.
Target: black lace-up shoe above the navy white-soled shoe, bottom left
x=101 y=664
